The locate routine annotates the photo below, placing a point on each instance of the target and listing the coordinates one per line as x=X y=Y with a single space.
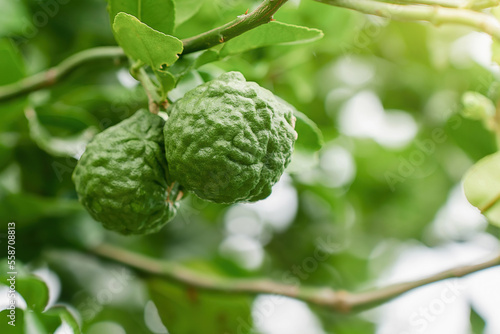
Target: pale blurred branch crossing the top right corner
x=434 y=14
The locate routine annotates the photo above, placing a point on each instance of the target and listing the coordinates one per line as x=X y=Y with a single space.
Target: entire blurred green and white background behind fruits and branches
x=383 y=197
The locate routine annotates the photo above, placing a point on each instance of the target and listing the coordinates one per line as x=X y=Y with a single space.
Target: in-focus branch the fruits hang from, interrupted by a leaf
x=262 y=14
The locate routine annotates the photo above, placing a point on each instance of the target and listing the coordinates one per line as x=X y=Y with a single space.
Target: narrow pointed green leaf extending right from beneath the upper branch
x=270 y=34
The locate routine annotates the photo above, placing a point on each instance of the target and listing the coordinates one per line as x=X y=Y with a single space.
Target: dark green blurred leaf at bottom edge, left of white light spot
x=215 y=312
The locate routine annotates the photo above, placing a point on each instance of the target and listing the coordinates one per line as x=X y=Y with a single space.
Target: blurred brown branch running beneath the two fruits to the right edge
x=339 y=301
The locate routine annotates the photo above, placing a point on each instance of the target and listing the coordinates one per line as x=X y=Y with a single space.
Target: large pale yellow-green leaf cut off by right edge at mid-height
x=482 y=187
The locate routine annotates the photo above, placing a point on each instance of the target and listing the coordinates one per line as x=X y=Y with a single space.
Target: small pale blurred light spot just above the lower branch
x=247 y=252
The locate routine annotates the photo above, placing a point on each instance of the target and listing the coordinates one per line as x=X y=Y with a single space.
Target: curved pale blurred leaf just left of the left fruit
x=71 y=146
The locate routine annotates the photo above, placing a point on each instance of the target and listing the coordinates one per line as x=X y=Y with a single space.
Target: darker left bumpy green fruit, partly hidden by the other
x=121 y=178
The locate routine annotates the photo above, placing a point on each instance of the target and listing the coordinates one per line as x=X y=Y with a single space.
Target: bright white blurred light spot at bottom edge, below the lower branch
x=283 y=315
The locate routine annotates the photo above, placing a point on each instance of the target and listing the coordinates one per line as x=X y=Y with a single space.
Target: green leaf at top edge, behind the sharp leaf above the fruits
x=158 y=14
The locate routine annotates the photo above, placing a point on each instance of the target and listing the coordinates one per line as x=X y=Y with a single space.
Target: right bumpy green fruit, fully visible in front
x=229 y=140
